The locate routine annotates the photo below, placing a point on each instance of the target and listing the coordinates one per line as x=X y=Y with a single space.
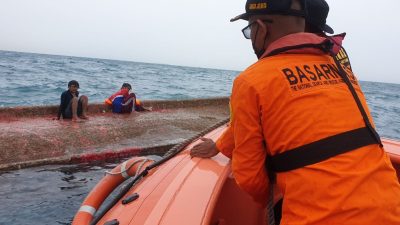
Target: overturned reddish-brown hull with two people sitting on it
x=30 y=136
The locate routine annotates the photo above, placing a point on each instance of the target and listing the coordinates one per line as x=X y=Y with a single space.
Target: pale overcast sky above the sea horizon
x=187 y=32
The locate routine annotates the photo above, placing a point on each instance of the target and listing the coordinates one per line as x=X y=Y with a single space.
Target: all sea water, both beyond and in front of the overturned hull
x=53 y=194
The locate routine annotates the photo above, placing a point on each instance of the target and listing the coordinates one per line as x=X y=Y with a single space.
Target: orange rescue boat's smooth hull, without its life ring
x=187 y=190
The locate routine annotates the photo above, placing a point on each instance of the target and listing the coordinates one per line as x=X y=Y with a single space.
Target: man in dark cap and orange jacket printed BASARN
x=306 y=120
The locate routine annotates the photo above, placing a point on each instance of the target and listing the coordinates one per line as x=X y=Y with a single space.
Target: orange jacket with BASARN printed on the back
x=294 y=99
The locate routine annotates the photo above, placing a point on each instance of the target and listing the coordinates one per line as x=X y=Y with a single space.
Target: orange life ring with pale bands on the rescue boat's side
x=104 y=188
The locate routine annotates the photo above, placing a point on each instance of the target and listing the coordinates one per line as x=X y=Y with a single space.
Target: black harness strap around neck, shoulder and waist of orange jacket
x=331 y=146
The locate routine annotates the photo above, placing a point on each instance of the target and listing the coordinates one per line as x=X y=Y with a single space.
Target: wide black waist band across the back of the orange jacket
x=320 y=150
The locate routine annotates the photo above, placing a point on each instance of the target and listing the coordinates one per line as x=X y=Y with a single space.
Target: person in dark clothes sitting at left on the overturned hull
x=72 y=106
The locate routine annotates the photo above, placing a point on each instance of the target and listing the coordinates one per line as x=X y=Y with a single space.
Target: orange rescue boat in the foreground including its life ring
x=181 y=190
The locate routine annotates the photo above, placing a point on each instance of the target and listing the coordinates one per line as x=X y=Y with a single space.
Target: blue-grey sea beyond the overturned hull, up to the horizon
x=36 y=79
